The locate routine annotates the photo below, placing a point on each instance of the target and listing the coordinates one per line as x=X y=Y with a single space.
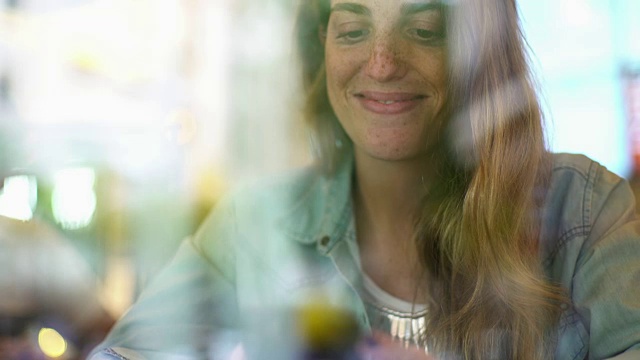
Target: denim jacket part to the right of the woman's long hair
x=590 y=242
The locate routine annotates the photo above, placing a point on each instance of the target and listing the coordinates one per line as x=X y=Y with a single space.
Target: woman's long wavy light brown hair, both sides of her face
x=477 y=234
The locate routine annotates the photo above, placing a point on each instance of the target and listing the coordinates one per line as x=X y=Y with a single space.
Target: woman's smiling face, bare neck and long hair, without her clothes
x=400 y=79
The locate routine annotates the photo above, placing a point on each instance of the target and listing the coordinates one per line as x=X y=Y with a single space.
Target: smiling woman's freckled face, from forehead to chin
x=386 y=74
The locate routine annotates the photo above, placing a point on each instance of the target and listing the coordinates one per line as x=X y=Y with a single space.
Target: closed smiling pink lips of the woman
x=389 y=103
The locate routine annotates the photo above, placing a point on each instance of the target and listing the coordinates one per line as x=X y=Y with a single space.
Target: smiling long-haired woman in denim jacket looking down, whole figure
x=435 y=224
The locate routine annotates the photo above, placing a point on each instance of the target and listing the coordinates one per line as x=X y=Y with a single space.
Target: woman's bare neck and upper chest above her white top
x=387 y=196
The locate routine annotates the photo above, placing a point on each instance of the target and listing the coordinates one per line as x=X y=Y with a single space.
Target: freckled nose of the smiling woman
x=385 y=63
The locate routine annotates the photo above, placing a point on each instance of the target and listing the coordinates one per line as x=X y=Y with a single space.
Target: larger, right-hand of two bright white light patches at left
x=74 y=199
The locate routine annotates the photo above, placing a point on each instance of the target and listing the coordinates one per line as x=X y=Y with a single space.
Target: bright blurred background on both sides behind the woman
x=122 y=122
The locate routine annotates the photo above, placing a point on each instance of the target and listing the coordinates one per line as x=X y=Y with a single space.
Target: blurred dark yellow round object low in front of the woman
x=326 y=327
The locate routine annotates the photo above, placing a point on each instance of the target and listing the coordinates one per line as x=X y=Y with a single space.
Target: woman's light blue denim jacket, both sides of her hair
x=269 y=248
